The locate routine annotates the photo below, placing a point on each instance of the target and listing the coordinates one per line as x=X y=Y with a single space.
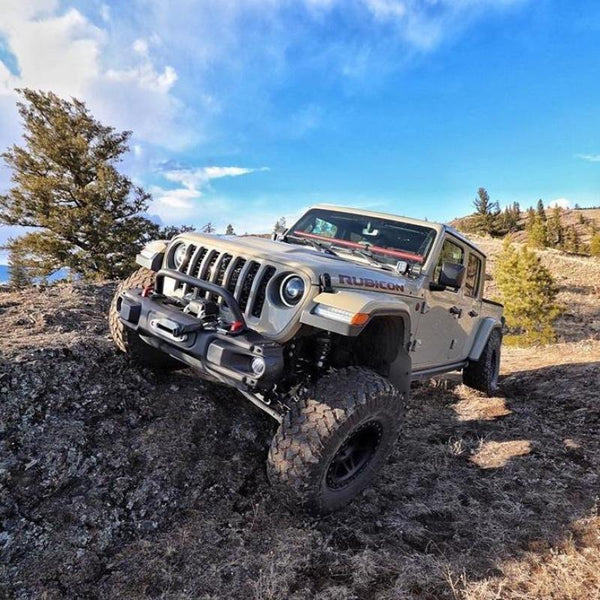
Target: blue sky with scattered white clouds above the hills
x=247 y=110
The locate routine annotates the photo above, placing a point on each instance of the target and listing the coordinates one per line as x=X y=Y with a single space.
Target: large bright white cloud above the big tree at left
x=66 y=53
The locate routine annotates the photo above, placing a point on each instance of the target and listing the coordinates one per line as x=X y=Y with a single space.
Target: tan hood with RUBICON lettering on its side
x=344 y=272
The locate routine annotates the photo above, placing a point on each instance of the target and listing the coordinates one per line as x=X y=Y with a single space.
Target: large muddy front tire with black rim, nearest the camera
x=345 y=407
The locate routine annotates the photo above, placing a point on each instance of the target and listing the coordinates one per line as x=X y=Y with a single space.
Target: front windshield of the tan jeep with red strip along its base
x=389 y=241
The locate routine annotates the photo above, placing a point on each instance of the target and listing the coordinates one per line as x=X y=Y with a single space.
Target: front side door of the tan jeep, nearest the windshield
x=440 y=337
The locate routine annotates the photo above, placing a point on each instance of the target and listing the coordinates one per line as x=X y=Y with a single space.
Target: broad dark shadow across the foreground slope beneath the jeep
x=167 y=496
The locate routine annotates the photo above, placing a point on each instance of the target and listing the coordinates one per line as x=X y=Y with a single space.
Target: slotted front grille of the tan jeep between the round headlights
x=246 y=279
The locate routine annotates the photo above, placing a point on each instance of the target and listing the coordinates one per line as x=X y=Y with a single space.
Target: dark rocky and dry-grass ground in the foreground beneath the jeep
x=117 y=484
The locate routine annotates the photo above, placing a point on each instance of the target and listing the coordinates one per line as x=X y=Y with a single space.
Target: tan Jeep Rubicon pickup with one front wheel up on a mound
x=323 y=327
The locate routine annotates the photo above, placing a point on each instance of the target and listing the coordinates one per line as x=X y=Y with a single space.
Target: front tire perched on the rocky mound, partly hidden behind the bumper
x=129 y=341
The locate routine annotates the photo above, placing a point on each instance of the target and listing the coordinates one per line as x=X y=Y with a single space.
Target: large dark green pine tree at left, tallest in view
x=87 y=215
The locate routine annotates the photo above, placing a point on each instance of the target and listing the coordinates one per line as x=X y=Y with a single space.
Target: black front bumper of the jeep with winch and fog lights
x=243 y=360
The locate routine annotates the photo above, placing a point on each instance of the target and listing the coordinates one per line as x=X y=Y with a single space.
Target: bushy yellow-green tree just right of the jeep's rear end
x=529 y=294
